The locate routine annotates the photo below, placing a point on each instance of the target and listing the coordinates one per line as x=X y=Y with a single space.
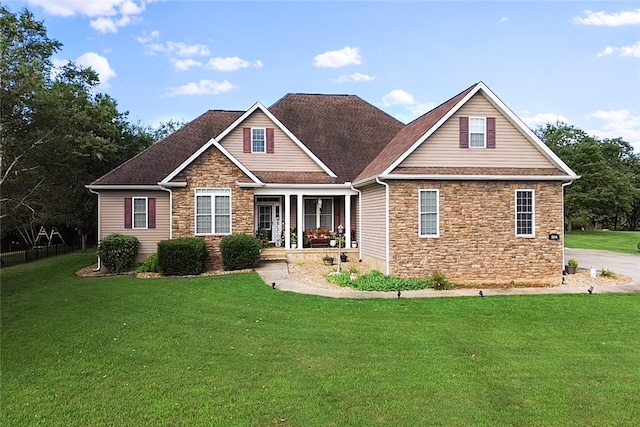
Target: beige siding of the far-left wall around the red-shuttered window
x=112 y=218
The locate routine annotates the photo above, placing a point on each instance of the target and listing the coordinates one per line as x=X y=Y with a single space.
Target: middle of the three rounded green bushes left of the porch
x=183 y=256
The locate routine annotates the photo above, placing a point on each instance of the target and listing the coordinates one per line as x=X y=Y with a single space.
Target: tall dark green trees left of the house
x=57 y=133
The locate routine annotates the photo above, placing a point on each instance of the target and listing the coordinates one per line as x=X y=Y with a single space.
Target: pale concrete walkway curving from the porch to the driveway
x=278 y=273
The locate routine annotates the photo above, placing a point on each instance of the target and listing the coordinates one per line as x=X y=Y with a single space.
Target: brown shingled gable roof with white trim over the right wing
x=415 y=133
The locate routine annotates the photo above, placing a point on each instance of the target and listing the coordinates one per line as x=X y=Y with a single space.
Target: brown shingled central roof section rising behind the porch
x=344 y=131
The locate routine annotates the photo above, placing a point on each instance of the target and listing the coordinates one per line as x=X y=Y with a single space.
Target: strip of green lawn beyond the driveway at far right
x=617 y=241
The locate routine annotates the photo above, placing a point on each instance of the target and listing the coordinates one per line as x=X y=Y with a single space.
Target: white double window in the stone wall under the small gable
x=213 y=211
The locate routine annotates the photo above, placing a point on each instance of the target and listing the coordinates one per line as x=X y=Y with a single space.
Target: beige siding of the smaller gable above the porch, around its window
x=287 y=156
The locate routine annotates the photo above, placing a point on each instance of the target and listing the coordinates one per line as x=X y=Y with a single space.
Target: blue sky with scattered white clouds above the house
x=574 y=61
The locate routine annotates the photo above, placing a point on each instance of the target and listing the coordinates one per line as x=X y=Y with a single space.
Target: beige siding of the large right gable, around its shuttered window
x=513 y=149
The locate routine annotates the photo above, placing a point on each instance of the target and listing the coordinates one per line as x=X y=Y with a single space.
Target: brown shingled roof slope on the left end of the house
x=156 y=162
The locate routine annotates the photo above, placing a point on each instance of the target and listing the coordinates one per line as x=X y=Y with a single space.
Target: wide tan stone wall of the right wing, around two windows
x=477 y=240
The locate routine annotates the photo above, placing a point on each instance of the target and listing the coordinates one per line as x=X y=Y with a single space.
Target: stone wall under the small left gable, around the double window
x=212 y=170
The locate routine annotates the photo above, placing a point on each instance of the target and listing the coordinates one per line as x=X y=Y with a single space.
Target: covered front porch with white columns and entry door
x=307 y=217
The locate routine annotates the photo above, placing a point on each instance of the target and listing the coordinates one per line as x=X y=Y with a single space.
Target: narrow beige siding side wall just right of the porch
x=373 y=227
